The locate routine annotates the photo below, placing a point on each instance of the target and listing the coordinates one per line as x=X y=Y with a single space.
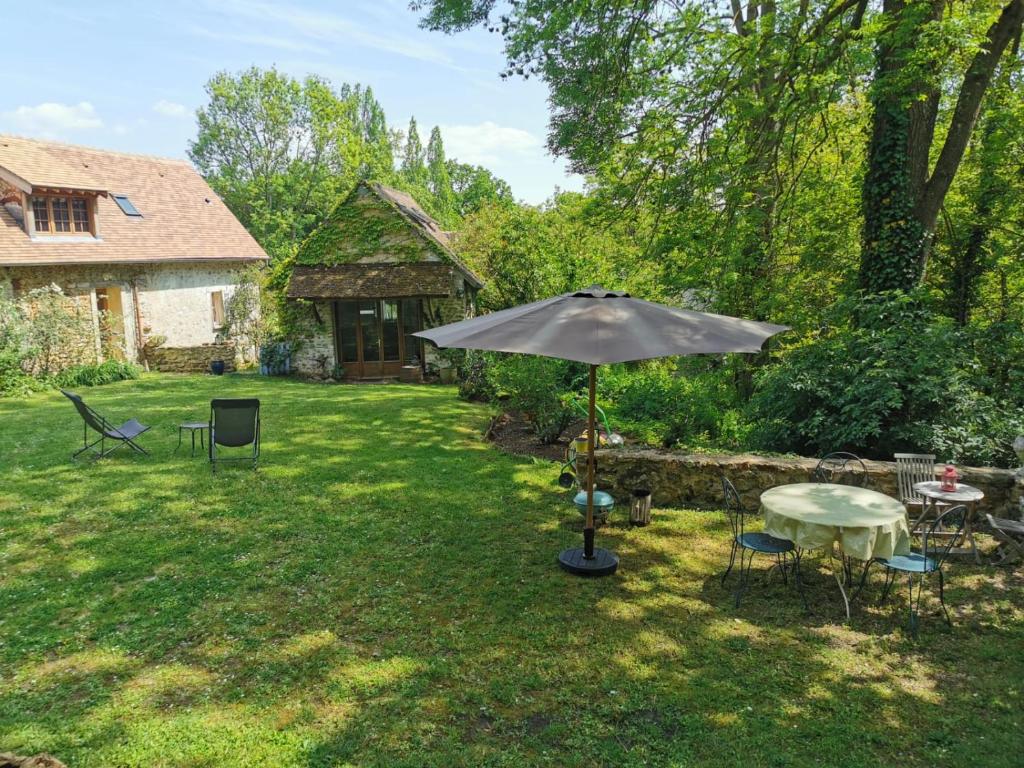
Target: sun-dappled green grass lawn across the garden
x=383 y=592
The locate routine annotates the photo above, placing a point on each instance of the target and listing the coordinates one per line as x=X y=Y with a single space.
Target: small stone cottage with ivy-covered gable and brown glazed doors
x=377 y=271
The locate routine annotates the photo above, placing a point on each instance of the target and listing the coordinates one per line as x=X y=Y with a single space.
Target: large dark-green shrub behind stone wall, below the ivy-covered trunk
x=902 y=380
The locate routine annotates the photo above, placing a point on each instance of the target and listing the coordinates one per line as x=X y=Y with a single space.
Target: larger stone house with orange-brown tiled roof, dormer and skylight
x=142 y=245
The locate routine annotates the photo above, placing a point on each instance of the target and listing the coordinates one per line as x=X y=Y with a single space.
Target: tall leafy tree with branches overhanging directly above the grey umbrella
x=688 y=106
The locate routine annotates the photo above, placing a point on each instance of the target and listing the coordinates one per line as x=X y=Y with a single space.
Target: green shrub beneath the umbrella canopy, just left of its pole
x=538 y=388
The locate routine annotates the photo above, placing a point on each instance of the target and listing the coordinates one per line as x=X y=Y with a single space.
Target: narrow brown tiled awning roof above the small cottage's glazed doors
x=371 y=281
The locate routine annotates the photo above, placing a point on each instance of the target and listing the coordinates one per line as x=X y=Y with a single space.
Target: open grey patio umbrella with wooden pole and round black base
x=595 y=327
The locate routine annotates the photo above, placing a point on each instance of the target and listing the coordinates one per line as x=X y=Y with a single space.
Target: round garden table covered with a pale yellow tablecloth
x=864 y=524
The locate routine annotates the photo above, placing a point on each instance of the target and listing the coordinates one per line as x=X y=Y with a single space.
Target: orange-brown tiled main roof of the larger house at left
x=183 y=220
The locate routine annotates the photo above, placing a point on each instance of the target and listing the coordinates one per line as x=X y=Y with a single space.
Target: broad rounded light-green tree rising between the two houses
x=281 y=152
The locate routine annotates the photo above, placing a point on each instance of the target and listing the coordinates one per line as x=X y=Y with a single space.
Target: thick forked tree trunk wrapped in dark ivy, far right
x=904 y=191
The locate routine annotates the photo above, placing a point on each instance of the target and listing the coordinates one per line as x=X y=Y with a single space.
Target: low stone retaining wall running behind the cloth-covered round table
x=695 y=481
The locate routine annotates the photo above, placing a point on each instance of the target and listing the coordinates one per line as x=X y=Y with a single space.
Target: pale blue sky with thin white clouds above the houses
x=130 y=75
